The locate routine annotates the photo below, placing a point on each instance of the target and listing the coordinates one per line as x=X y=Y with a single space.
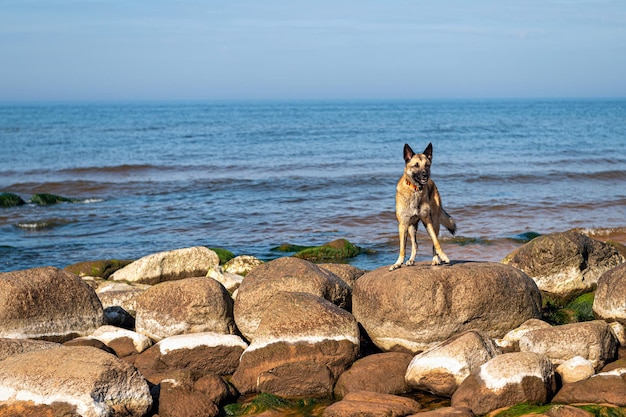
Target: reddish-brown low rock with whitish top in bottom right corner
x=605 y=387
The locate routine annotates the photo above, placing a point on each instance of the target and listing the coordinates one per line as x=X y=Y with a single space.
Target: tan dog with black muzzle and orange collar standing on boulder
x=417 y=198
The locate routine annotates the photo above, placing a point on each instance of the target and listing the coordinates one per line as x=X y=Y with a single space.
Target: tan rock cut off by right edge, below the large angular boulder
x=608 y=303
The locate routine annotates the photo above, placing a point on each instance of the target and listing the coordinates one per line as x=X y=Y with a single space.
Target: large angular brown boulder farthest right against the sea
x=564 y=265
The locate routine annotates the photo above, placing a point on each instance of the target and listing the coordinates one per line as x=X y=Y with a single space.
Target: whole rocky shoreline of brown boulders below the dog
x=183 y=333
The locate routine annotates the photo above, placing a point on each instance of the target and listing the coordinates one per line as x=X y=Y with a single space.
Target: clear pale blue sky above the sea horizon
x=102 y=50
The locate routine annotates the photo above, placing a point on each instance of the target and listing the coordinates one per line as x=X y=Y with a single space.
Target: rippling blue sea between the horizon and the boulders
x=249 y=176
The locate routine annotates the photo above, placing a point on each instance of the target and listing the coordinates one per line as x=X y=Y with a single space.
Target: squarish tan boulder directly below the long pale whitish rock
x=191 y=305
